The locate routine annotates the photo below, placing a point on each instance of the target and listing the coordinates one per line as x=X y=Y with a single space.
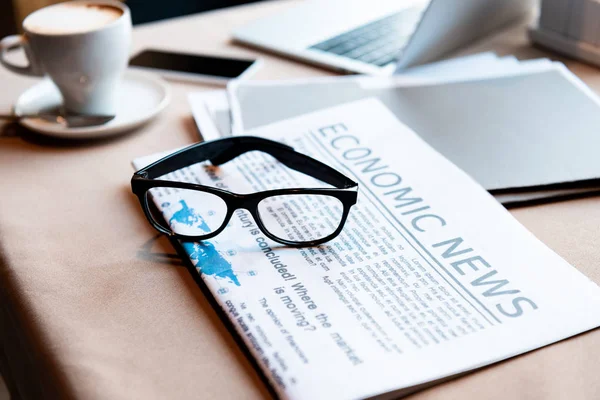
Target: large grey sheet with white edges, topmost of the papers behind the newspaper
x=491 y=127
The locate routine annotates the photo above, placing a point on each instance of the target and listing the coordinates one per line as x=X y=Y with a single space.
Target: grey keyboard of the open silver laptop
x=379 y=42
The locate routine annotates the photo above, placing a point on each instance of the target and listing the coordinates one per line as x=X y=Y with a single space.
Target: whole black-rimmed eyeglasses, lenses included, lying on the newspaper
x=294 y=217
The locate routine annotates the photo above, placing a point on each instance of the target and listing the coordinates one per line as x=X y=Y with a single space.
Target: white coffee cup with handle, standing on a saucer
x=83 y=46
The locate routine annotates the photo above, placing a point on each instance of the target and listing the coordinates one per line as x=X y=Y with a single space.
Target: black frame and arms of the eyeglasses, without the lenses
x=221 y=151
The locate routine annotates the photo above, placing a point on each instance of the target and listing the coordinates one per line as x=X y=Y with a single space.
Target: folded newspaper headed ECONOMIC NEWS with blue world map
x=430 y=278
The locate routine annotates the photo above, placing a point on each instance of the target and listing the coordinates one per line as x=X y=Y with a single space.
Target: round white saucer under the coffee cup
x=141 y=96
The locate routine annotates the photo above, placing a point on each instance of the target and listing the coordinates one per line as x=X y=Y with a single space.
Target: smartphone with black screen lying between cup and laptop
x=194 y=67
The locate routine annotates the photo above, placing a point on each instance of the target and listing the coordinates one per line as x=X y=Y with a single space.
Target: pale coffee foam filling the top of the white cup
x=68 y=18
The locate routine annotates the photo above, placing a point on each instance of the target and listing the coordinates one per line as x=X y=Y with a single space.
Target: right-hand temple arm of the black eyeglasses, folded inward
x=287 y=156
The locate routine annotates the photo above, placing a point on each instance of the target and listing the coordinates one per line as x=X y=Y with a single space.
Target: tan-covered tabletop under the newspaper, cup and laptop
x=90 y=308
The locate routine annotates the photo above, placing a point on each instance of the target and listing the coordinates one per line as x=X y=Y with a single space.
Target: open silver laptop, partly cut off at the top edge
x=378 y=37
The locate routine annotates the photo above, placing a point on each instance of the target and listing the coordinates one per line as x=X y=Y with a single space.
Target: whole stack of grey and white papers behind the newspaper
x=526 y=131
